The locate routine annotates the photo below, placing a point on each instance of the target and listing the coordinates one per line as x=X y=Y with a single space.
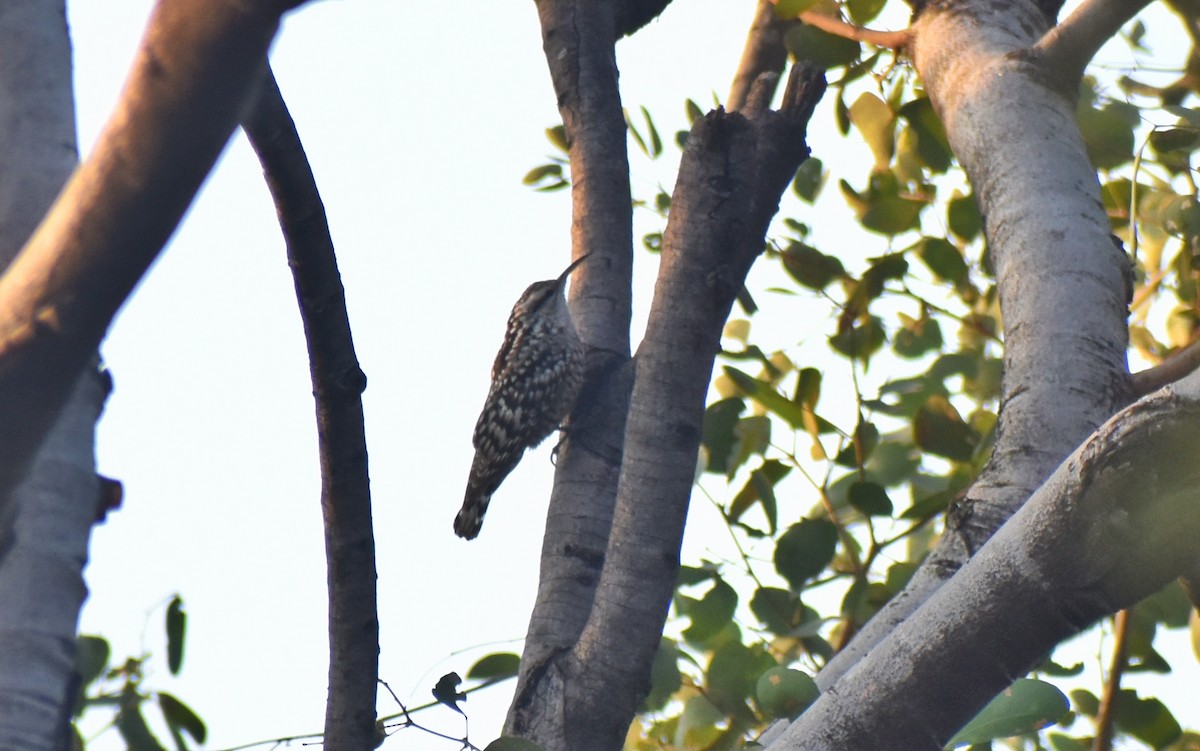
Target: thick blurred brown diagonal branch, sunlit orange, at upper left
x=184 y=98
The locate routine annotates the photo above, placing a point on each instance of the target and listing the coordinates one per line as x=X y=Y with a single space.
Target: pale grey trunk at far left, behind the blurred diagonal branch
x=44 y=533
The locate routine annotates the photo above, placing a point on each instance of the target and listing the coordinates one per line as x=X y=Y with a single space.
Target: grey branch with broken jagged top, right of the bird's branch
x=583 y=695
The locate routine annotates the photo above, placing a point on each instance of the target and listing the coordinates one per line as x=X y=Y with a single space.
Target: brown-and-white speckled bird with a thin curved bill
x=536 y=382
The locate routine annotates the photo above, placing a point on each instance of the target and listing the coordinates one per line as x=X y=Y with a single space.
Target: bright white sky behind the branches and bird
x=421 y=122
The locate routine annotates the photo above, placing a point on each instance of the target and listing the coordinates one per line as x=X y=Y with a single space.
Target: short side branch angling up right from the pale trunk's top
x=1070 y=46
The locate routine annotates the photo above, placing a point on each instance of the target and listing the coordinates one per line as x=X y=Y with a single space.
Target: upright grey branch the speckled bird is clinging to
x=579 y=40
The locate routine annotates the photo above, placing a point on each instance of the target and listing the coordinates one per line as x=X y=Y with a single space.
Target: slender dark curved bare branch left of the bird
x=338 y=387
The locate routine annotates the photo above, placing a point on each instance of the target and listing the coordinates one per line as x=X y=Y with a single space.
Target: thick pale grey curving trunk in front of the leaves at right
x=1063 y=283
